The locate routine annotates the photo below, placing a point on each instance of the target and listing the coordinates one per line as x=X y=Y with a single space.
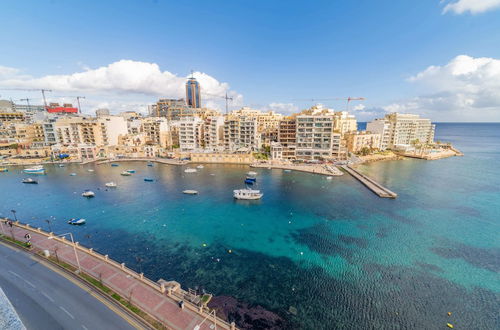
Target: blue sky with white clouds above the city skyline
x=436 y=58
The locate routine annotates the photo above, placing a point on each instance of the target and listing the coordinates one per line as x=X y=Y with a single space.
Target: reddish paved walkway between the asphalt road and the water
x=161 y=306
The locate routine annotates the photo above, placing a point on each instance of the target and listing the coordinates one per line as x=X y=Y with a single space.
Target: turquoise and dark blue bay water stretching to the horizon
x=340 y=255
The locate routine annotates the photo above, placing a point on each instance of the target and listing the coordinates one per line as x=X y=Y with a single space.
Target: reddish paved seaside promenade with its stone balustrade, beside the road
x=161 y=300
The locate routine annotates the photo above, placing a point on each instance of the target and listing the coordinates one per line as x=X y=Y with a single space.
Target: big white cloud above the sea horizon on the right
x=464 y=89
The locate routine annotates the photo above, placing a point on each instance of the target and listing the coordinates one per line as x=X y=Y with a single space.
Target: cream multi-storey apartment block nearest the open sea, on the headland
x=401 y=131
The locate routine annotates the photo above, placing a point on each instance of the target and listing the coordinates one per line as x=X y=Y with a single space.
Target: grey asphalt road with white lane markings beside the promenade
x=45 y=299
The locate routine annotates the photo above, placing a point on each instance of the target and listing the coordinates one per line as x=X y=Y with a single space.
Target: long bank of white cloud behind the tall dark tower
x=121 y=79
